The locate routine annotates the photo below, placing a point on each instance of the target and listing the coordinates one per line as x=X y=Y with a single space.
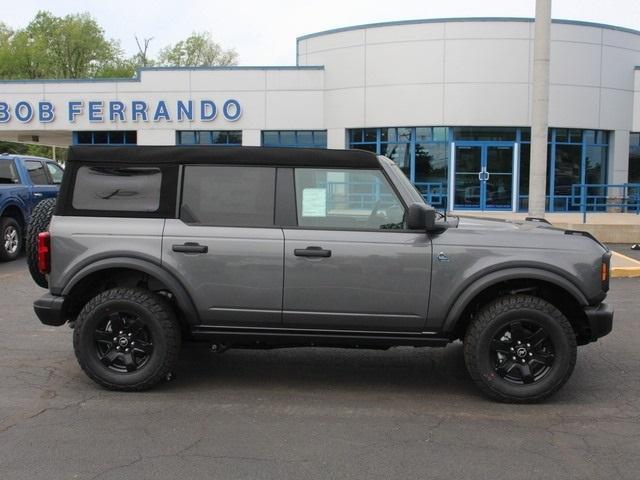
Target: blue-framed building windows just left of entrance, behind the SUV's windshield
x=421 y=152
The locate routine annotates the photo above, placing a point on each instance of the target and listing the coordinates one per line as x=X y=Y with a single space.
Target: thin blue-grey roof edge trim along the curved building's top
x=462 y=19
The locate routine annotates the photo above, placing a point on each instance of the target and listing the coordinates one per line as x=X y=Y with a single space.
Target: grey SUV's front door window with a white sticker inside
x=346 y=199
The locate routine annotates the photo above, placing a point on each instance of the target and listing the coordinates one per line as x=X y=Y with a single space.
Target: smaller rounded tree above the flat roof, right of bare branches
x=198 y=50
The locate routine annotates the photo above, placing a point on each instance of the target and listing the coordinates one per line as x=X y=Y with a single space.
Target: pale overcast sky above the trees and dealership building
x=264 y=32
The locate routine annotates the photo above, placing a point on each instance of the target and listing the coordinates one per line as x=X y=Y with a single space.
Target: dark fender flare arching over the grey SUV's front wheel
x=493 y=278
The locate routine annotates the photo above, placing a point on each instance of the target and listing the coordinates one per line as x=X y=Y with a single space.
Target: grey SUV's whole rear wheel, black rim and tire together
x=127 y=339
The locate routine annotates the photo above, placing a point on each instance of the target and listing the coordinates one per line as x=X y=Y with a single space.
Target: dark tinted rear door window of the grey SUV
x=219 y=195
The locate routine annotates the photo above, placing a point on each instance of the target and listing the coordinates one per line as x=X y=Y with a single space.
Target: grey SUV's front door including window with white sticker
x=350 y=263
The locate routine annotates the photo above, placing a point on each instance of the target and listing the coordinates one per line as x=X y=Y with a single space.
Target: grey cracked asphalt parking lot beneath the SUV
x=310 y=413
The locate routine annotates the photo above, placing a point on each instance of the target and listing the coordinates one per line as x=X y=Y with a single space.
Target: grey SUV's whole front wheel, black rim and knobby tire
x=520 y=349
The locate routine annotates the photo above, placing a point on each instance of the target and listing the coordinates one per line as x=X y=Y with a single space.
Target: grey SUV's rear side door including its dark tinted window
x=225 y=247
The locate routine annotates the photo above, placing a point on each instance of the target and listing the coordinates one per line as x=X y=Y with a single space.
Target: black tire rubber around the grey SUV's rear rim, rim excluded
x=157 y=315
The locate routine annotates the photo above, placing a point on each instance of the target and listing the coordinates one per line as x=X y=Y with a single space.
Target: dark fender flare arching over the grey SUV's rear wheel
x=182 y=297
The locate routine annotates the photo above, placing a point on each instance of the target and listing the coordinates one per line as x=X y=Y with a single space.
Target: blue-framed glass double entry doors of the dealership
x=483 y=176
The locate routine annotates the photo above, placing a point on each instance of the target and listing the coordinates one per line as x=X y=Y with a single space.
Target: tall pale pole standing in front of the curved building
x=540 y=109
